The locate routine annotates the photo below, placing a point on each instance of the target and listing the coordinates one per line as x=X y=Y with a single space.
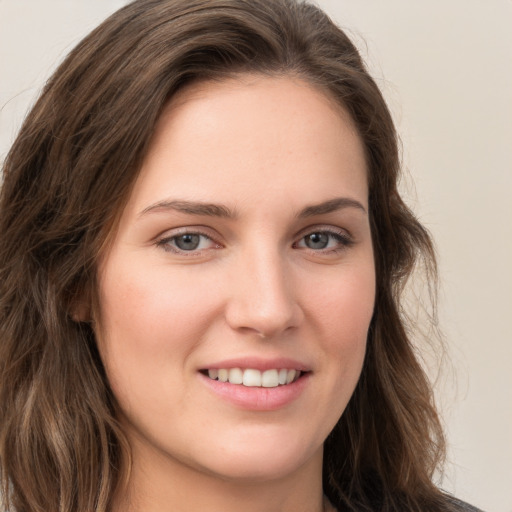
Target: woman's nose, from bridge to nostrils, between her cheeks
x=262 y=299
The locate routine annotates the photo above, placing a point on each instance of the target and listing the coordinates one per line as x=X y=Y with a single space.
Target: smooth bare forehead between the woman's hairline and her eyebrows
x=229 y=137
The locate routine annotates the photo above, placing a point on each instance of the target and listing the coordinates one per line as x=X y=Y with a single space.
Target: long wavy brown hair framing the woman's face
x=66 y=180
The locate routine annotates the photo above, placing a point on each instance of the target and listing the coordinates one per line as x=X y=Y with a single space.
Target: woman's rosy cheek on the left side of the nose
x=148 y=327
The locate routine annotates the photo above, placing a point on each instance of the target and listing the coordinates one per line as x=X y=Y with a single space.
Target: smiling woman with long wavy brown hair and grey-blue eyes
x=203 y=253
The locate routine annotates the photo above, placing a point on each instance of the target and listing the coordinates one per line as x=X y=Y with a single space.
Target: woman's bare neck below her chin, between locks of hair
x=168 y=485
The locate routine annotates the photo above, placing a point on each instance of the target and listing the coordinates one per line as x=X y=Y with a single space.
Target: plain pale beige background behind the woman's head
x=445 y=68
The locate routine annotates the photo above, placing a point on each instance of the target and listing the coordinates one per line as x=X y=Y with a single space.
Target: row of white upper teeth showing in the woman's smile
x=254 y=378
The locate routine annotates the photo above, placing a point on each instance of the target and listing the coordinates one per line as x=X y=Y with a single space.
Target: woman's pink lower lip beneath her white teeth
x=258 y=398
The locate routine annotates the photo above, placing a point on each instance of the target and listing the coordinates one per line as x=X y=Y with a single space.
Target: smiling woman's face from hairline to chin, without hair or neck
x=237 y=294
